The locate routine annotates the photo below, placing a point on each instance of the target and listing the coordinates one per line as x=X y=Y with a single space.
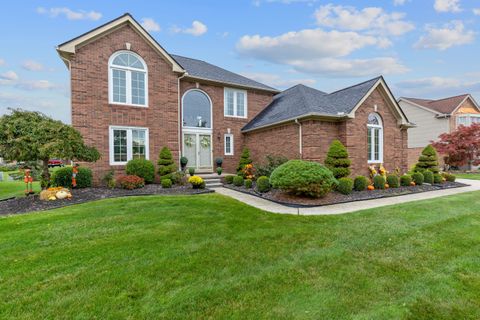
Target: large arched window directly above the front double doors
x=197 y=110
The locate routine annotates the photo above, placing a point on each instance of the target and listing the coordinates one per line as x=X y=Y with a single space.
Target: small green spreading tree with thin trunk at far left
x=32 y=136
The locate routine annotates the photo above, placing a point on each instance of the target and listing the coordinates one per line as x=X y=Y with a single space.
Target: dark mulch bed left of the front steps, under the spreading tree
x=33 y=203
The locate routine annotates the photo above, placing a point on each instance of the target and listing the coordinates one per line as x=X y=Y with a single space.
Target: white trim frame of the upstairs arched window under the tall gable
x=128 y=79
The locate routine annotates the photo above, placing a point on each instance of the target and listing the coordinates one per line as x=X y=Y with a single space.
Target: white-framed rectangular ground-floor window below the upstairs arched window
x=127 y=143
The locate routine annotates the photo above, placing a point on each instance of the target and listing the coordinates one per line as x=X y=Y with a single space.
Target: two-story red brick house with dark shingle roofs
x=130 y=98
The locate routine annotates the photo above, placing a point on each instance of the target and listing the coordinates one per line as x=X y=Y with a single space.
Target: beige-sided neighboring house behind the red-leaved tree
x=434 y=117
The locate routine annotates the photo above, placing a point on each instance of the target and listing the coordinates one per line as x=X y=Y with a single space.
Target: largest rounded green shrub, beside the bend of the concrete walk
x=305 y=178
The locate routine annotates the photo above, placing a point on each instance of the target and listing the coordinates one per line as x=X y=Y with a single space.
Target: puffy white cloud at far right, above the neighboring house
x=451 y=34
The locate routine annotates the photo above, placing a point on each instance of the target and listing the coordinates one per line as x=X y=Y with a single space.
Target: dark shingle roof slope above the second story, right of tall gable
x=201 y=69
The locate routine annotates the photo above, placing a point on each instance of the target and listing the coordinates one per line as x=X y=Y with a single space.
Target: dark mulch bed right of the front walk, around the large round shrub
x=336 y=197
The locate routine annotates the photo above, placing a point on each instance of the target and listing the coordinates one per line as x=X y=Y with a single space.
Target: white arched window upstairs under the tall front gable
x=128 y=81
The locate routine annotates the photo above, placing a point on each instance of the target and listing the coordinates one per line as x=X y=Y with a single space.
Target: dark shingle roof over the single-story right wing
x=301 y=100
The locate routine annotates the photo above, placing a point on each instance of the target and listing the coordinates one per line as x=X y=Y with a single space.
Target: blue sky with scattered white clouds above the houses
x=424 y=48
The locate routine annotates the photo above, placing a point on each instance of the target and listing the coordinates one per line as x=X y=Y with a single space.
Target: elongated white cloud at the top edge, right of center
x=372 y=19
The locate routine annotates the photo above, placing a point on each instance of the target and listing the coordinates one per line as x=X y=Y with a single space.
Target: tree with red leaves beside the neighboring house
x=461 y=147
